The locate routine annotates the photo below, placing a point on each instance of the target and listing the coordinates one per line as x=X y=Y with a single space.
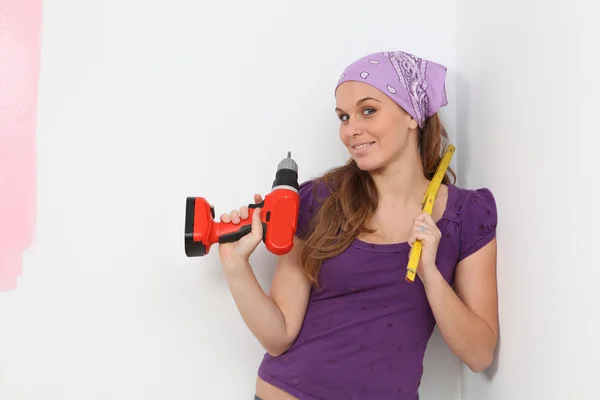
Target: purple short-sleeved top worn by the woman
x=366 y=329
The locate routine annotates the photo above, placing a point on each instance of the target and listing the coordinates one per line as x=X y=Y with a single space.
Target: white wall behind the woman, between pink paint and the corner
x=142 y=104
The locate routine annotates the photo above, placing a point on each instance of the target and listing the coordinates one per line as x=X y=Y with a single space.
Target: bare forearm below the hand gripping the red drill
x=260 y=313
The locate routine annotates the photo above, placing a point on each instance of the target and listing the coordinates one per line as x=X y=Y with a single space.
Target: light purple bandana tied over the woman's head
x=415 y=84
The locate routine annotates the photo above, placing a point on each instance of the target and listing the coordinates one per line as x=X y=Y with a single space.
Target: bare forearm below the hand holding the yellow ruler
x=469 y=337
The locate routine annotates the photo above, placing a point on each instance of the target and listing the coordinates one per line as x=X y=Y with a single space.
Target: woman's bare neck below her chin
x=402 y=182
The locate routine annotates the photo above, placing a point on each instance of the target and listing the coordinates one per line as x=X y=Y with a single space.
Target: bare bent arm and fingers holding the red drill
x=275 y=319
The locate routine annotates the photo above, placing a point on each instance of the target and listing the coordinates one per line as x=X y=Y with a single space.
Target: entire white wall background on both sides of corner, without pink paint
x=143 y=103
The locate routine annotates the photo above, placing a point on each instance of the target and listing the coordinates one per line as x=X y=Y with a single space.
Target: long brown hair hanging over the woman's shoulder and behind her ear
x=352 y=199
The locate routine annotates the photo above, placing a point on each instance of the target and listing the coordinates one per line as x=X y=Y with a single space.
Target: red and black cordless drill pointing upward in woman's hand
x=279 y=217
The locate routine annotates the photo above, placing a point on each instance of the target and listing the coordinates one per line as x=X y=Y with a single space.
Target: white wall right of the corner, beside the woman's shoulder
x=528 y=102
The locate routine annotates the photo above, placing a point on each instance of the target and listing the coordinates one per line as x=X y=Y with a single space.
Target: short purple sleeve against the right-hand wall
x=479 y=218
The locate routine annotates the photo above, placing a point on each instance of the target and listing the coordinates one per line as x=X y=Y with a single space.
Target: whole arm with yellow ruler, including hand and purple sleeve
x=466 y=314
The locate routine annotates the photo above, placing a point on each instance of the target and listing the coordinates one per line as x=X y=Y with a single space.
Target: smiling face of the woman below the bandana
x=374 y=129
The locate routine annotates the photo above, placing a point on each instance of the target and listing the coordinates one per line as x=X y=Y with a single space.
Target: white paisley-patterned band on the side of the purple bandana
x=411 y=72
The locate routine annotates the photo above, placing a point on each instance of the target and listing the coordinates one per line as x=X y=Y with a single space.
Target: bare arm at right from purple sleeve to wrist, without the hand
x=467 y=316
